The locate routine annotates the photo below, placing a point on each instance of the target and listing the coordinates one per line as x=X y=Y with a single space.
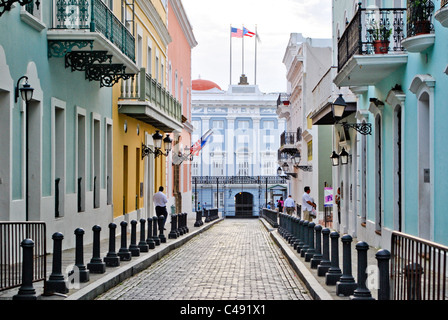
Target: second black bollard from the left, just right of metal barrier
x=56 y=281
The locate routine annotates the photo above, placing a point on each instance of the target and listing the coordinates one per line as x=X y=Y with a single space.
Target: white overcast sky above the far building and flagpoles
x=274 y=21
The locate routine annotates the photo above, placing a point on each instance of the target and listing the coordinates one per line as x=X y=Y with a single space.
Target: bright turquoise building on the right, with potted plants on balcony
x=397 y=175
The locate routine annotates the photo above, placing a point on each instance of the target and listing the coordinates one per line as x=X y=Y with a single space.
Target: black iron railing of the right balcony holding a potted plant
x=368 y=27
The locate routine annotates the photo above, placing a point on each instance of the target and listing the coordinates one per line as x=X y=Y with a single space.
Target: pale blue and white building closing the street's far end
x=236 y=171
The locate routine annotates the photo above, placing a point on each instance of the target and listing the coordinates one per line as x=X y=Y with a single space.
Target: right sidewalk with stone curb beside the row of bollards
x=316 y=284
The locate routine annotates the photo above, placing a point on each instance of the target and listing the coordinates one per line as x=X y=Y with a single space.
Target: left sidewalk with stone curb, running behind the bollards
x=113 y=276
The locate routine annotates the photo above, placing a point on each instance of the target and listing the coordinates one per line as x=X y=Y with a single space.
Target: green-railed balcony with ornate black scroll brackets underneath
x=84 y=28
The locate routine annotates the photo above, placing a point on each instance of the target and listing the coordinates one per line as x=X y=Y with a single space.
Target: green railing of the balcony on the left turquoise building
x=95 y=16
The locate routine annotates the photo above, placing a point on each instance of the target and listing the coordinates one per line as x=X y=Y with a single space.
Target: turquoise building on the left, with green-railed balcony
x=56 y=150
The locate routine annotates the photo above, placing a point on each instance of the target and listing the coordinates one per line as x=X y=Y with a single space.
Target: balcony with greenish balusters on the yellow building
x=145 y=99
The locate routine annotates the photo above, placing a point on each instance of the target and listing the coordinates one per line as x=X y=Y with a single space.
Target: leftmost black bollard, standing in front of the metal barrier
x=26 y=290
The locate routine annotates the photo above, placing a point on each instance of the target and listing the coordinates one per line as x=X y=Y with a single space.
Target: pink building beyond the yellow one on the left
x=179 y=83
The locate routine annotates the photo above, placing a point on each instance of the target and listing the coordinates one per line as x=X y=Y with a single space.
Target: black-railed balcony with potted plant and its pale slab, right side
x=371 y=46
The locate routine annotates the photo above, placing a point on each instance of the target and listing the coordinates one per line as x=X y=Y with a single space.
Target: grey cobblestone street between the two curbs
x=236 y=259
